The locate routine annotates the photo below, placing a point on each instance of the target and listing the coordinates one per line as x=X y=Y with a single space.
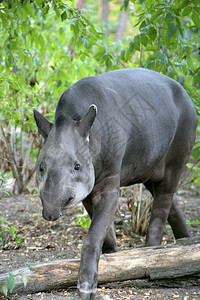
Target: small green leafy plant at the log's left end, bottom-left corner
x=8 y=284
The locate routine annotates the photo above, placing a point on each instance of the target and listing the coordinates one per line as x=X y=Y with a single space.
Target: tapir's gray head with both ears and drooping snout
x=65 y=172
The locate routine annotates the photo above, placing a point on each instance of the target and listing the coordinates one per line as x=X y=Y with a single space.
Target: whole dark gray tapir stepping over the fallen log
x=123 y=127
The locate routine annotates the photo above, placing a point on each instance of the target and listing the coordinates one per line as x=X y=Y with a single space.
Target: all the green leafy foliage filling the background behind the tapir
x=39 y=61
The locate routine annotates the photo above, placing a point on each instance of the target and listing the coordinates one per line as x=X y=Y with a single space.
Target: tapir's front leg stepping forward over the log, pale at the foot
x=104 y=204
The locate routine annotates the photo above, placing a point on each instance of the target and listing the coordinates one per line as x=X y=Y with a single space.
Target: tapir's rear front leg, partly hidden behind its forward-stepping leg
x=110 y=243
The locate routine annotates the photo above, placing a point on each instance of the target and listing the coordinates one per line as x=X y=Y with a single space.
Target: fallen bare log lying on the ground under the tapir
x=152 y=262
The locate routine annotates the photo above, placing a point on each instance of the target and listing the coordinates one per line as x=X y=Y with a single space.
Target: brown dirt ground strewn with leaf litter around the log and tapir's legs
x=44 y=241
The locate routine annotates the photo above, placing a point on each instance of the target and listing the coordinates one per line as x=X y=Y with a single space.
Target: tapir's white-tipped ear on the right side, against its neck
x=85 y=124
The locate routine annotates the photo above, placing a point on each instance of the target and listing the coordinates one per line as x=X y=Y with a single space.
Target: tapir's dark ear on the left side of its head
x=43 y=125
